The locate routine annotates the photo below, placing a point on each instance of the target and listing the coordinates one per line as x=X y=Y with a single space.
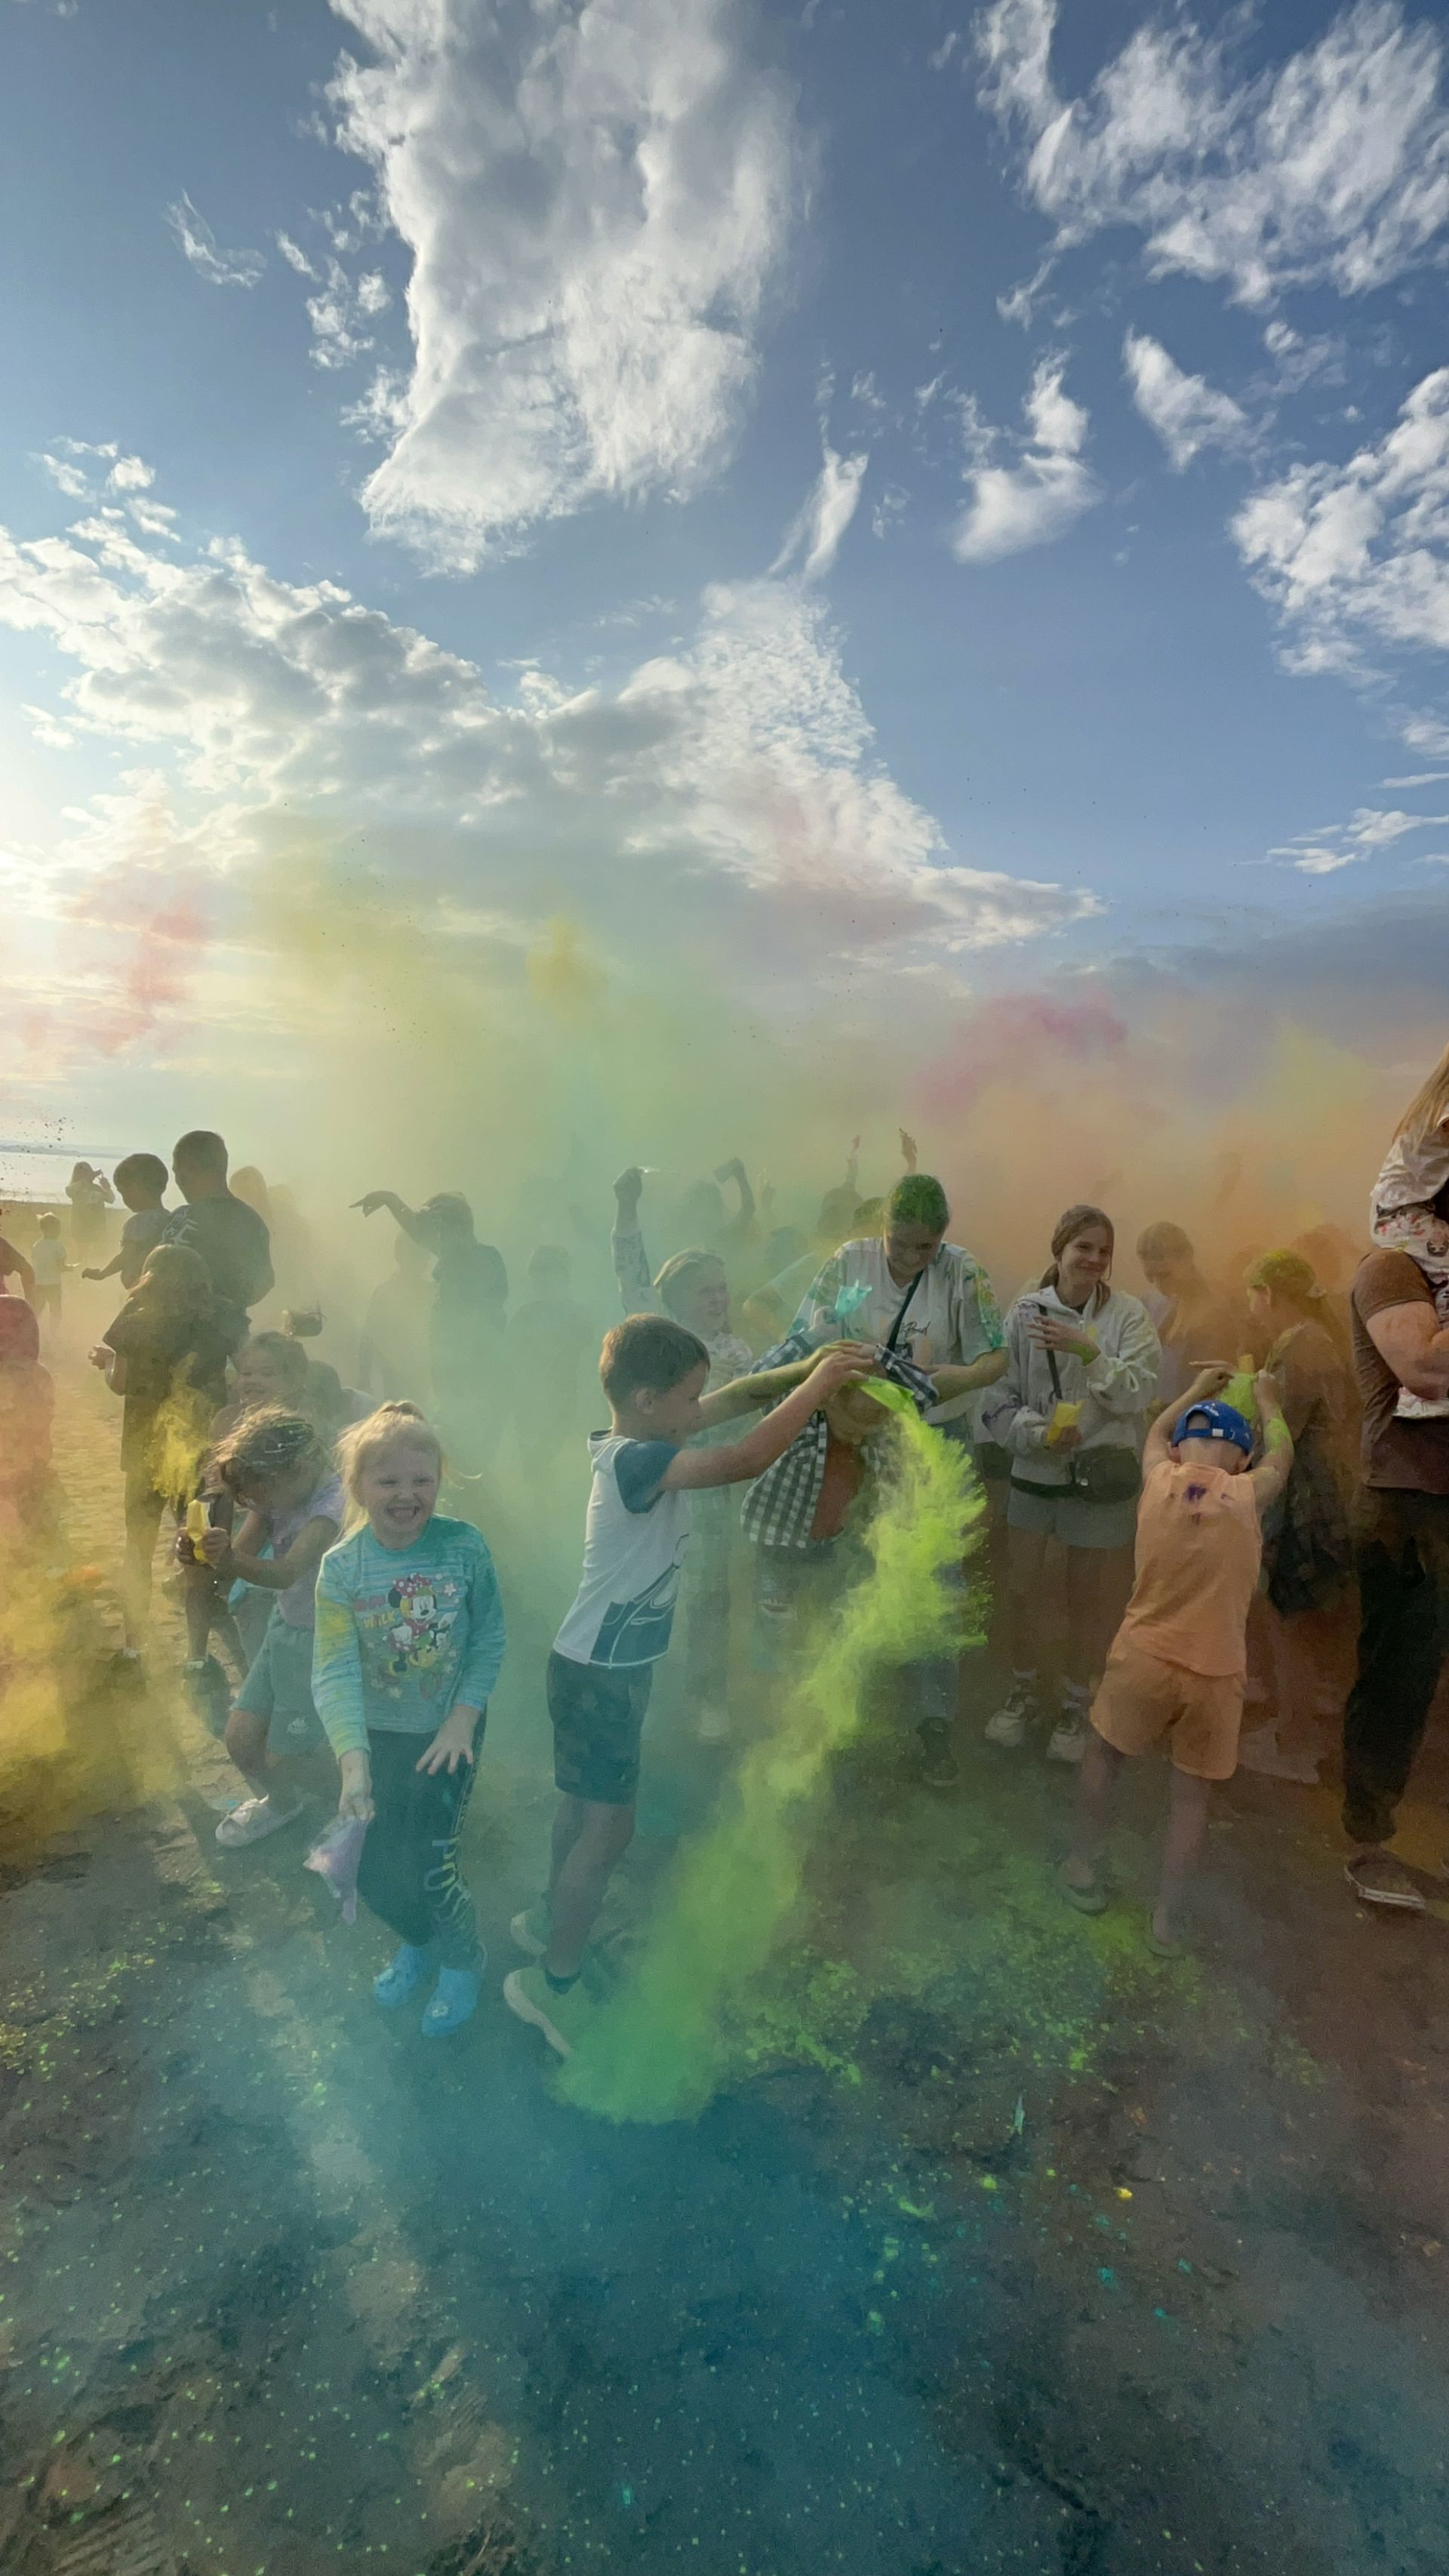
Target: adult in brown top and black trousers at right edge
x=1404 y=1562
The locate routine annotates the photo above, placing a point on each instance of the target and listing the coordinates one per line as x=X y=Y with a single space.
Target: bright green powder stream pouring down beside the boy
x=660 y=2044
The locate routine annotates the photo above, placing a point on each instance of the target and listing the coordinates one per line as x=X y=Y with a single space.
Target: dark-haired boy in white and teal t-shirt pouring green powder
x=606 y=1653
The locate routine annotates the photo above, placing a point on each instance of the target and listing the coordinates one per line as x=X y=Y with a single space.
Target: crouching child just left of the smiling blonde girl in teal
x=282 y=1475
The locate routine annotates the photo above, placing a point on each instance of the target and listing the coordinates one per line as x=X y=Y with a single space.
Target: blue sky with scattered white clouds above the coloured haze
x=902 y=493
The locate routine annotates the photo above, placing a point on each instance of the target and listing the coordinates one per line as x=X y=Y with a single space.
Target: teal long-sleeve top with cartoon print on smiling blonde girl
x=405 y=1632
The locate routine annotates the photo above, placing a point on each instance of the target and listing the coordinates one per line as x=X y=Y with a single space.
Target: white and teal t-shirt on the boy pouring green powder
x=634 y=1547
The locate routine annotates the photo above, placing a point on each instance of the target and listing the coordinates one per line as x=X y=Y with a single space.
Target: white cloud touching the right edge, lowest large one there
x=1358 y=555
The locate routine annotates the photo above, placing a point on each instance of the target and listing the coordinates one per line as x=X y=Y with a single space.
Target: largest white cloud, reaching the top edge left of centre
x=593 y=205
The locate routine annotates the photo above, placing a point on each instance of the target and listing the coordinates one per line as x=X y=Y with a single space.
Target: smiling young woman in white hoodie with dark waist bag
x=1072 y=1410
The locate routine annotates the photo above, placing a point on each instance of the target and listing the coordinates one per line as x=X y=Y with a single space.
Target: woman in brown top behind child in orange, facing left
x=1306 y=1539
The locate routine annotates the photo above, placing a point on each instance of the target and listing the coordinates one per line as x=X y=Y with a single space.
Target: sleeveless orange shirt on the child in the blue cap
x=1198 y=1565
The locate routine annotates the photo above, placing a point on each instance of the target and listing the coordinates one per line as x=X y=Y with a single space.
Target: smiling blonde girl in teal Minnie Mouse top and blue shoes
x=408 y=1650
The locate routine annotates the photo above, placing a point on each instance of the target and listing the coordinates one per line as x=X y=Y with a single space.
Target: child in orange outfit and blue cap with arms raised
x=1180 y=1658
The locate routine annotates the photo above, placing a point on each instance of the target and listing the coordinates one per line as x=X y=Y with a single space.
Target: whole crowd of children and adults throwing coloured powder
x=1208 y=1501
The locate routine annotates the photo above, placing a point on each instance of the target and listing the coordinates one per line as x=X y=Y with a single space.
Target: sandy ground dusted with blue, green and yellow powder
x=1005 y=2248
